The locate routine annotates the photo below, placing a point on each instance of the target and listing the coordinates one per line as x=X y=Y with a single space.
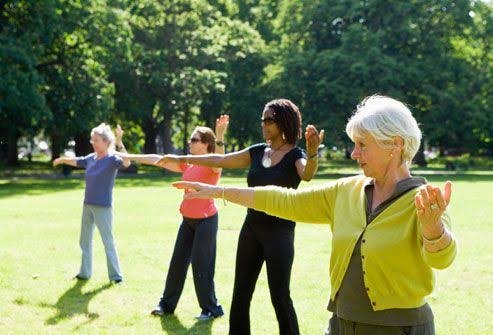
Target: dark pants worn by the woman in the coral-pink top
x=196 y=244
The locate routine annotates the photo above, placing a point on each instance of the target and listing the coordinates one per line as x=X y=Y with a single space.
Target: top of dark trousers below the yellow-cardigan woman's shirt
x=338 y=326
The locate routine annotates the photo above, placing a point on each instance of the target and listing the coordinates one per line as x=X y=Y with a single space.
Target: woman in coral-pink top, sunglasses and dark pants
x=196 y=240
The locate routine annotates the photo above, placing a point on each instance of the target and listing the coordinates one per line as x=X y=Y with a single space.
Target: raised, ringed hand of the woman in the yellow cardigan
x=430 y=203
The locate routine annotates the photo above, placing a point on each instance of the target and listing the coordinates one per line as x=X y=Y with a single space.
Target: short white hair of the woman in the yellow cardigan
x=385 y=118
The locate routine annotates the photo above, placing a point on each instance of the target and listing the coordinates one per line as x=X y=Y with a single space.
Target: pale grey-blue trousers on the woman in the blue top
x=101 y=217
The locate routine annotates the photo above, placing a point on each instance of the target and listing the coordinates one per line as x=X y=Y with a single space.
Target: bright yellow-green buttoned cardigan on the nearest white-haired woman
x=397 y=269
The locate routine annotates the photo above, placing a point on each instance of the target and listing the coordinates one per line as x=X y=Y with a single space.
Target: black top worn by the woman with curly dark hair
x=283 y=174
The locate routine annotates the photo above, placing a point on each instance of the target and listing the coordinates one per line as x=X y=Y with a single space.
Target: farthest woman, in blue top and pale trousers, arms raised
x=101 y=169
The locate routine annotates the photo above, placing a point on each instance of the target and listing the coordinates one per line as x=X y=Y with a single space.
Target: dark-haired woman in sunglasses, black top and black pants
x=277 y=162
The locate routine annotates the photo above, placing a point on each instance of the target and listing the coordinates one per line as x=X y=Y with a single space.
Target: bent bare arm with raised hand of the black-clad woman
x=308 y=167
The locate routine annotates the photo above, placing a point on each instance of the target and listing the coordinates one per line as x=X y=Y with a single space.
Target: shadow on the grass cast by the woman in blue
x=73 y=302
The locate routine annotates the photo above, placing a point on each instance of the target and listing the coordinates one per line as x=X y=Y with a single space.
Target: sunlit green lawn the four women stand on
x=39 y=255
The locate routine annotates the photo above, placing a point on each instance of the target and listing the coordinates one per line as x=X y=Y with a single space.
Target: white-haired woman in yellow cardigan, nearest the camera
x=389 y=229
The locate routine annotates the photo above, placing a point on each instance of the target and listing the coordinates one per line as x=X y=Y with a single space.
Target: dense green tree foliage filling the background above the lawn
x=162 y=67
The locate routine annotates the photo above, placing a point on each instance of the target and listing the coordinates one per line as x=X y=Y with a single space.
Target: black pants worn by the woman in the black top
x=274 y=244
